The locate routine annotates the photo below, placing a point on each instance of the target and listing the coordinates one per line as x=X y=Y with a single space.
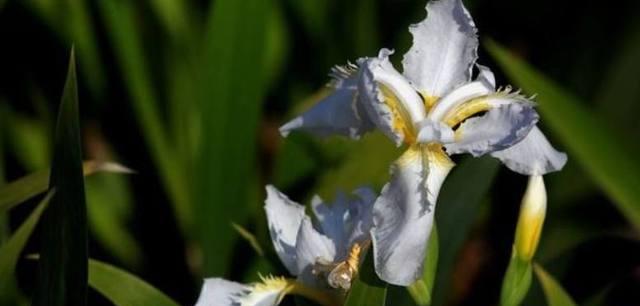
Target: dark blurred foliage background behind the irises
x=190 y=95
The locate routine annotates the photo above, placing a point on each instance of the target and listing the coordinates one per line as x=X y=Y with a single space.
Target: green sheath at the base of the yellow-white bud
x=516 y=282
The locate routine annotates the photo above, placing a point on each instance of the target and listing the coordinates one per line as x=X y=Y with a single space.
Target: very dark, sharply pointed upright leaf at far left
x=62 y=278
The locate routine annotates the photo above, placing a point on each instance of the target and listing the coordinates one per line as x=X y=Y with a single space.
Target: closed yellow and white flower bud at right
x=532 y=213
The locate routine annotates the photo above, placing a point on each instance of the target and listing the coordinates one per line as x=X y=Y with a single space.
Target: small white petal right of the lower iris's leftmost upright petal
x=312 y=247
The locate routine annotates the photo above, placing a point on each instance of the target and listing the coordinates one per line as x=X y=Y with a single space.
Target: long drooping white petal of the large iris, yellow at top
x=403 y=214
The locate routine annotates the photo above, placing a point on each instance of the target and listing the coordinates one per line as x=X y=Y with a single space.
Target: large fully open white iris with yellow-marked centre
x=435 y=108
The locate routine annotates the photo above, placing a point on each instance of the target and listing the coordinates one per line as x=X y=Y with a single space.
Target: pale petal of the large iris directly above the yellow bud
x=534 y=155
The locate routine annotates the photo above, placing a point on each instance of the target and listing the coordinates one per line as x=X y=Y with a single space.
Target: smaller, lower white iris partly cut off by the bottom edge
x=324 y=256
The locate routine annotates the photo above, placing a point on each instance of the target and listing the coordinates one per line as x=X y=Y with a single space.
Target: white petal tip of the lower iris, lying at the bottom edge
x=221 y=292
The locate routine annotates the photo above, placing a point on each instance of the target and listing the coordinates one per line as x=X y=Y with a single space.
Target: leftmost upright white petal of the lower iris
x=284 y=217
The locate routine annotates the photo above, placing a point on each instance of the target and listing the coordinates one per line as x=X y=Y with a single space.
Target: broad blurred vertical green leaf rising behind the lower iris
x=232 y=92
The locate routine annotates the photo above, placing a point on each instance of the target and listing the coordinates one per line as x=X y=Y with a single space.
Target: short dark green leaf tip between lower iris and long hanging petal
x=367 y=289
